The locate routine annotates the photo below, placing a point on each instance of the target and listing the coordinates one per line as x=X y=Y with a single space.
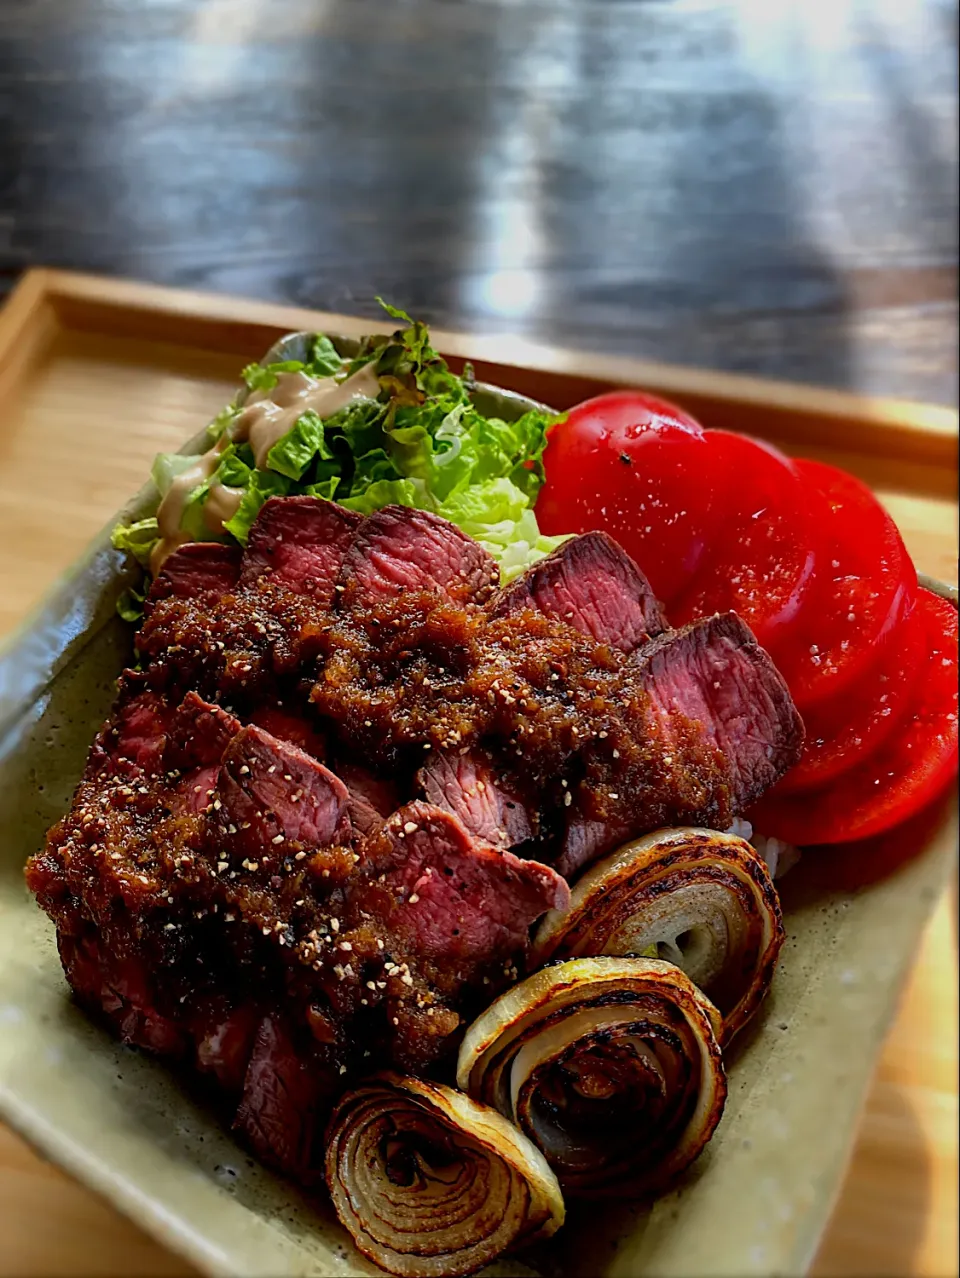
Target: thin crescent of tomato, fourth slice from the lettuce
x=842 y=737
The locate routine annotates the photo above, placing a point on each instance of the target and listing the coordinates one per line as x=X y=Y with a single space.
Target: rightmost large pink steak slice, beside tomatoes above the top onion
x=714 y=674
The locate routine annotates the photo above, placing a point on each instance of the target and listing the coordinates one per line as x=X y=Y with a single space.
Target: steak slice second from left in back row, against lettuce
x=300 y=541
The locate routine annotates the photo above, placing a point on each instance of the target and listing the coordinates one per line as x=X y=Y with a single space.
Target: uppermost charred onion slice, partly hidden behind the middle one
x=705 y=900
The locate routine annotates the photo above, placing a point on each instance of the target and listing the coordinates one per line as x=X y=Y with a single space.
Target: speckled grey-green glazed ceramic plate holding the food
x=136 y=1132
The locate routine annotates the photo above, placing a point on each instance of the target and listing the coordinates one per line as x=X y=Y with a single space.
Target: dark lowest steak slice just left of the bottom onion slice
x=283 y=1096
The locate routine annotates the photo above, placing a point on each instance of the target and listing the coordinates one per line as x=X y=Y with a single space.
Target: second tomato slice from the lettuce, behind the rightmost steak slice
x=764 y=560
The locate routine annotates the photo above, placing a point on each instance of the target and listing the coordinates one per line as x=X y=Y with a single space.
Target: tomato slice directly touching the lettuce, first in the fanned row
x=637 y=468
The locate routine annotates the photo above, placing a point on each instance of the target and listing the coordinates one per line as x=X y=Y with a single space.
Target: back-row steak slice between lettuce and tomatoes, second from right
x=594 y=586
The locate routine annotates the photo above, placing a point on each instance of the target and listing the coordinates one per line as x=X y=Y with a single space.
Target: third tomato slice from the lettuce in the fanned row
x=866 y=587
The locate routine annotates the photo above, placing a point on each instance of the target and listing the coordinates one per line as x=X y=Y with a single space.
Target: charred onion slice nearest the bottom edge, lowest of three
x=430 y=1183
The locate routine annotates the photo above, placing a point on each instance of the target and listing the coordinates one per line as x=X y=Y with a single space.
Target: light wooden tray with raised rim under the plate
x=97 y=376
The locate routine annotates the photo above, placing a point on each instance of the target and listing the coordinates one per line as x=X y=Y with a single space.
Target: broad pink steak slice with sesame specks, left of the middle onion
x=458 y=900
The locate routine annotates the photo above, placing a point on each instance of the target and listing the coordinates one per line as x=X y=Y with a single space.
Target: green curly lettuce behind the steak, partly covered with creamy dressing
x=422 y=443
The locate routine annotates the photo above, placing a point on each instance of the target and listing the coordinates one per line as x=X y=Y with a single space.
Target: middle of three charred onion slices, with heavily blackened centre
x=612 y=1066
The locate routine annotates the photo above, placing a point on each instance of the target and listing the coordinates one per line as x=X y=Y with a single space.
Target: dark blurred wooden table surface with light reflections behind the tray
x=766 y=186
